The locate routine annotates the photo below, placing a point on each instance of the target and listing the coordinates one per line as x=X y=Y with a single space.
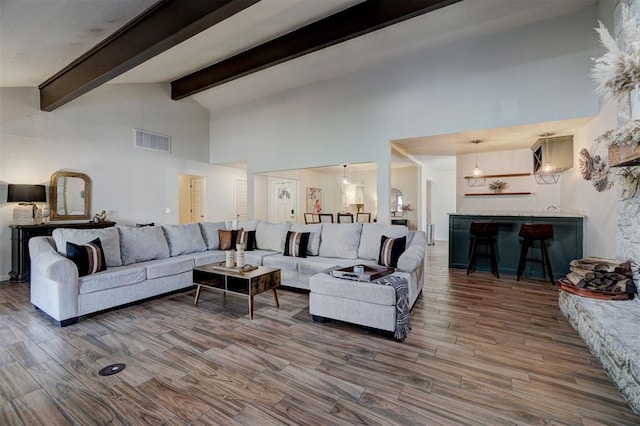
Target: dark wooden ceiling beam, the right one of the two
x=350 y=23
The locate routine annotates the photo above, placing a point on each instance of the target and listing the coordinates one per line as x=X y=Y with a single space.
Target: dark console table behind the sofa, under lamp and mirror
x=21 y=234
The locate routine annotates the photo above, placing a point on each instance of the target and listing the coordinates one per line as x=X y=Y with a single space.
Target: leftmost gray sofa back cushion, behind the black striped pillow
x=109 y=239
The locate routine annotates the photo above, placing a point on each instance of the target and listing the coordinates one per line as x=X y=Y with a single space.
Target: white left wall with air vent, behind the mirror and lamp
x=94 y=135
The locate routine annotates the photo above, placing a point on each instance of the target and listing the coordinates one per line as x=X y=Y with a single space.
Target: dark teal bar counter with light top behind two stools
x=567 y=243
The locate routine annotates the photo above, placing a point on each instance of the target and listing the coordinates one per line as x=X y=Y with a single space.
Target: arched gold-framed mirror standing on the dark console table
x=70 y=196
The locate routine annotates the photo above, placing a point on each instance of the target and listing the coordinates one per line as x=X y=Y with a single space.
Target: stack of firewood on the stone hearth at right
x=599 y=274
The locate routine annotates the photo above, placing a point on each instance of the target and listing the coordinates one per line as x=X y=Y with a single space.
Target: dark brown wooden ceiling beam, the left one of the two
x=159 y=28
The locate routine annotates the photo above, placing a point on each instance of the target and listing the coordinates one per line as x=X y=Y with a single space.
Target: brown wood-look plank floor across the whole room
x=482 y=351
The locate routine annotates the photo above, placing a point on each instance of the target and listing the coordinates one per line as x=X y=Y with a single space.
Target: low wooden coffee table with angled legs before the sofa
x=215 y=276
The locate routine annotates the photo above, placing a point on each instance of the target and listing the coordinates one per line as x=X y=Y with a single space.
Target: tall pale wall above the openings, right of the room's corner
x=533 y=74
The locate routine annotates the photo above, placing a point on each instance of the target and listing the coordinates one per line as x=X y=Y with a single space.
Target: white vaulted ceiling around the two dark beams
x=39 y=38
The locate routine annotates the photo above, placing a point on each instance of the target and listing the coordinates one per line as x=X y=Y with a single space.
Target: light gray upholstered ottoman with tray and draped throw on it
x=368 y=304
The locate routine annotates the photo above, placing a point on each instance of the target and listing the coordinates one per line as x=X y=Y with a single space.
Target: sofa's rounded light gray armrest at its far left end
x=53 y=280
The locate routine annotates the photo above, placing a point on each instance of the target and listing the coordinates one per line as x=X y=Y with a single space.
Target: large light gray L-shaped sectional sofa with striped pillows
x=149 y=261
